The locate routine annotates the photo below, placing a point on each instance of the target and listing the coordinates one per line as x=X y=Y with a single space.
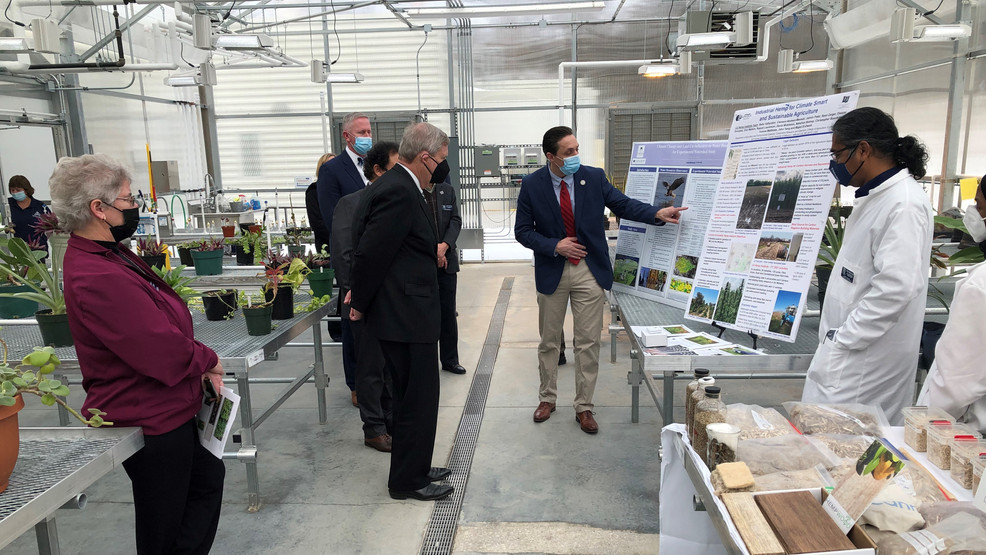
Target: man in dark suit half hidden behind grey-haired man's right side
x=442 y=202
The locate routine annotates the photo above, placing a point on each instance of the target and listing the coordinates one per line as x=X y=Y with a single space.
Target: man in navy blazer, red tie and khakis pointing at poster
x=560 y=218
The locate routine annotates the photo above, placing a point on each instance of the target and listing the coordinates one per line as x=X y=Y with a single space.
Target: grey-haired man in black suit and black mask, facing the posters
x=395 y=286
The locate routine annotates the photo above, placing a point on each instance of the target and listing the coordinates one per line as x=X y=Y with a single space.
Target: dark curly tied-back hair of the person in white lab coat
x=878 y=129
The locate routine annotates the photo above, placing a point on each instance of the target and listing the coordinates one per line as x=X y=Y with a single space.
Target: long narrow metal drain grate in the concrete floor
x=445 y=517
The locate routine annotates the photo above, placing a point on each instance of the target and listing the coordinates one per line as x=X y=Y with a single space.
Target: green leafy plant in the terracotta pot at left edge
x=33 y=375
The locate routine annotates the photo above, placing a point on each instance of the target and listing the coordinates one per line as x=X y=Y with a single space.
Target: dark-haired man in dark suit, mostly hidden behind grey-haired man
x=372 y=389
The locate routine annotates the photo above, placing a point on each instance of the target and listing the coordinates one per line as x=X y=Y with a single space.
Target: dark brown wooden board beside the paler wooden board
x=800 y=523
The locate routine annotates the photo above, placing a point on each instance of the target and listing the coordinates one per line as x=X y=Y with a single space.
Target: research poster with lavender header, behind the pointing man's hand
x=659 y=262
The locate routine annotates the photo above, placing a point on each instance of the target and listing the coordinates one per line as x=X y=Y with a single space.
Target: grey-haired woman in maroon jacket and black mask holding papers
x=119 y=311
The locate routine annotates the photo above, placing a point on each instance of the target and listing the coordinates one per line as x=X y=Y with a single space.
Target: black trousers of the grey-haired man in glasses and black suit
x=413 y=368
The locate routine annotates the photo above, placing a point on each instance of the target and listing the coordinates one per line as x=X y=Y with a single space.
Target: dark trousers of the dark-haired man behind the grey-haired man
x=373 y=388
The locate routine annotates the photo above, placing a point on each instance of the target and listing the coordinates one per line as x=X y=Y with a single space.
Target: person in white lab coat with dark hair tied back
x=870 y=327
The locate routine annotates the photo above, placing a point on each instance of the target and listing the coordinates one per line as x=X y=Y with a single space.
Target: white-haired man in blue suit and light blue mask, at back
x=337 y=178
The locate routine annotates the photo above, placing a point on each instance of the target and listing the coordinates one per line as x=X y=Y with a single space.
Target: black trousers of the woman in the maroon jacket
x=178 y=493
